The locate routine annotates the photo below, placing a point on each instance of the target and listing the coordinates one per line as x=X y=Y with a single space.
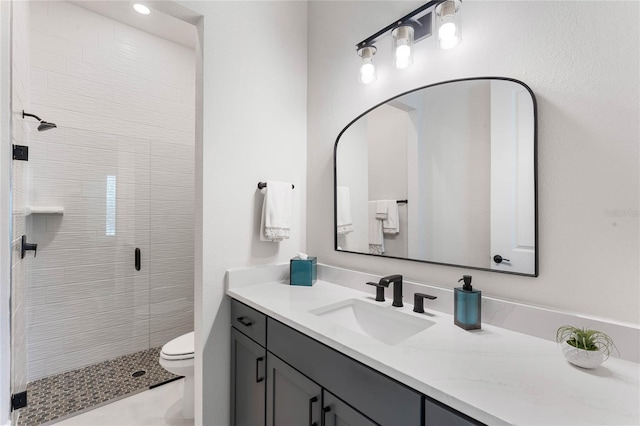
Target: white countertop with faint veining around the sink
x=494 y=375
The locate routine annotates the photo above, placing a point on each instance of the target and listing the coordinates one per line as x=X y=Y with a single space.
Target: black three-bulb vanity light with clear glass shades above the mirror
x=411 y=29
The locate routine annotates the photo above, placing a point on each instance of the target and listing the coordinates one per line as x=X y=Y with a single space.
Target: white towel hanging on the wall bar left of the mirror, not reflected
x=276 y=211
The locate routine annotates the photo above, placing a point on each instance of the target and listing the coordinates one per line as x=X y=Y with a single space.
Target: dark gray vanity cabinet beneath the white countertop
x=282 y=377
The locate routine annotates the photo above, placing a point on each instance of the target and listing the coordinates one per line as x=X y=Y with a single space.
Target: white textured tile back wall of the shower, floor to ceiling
x=124 y=103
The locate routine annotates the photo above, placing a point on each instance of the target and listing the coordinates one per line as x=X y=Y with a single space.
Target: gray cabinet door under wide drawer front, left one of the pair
x=292 y=399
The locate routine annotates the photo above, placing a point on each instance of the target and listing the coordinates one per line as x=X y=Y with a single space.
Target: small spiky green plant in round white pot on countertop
x=584 y=347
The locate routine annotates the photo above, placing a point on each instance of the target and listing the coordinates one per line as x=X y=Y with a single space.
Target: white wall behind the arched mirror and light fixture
x=581 y=60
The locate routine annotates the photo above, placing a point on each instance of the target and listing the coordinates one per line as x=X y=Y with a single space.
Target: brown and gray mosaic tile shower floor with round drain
x=59 y=396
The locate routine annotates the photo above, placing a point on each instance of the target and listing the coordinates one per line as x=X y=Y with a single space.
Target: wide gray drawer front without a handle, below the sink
x=365 y=389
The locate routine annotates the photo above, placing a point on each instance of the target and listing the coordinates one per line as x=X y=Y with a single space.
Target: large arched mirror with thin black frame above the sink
x=444 y=174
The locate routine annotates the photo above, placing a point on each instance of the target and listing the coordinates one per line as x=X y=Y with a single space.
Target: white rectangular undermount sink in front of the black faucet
x=383 y=323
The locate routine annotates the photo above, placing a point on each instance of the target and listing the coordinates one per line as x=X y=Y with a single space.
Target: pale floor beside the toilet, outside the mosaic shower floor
x=159 y=406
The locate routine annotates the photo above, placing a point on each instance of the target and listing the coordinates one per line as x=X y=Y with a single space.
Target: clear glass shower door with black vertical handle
x=89 y=303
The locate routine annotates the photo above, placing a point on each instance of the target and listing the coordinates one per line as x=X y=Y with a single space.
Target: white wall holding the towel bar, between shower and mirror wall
x=254 y=128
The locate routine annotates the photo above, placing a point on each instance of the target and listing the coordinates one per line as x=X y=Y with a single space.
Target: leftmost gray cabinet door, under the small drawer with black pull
x=248 y=361
